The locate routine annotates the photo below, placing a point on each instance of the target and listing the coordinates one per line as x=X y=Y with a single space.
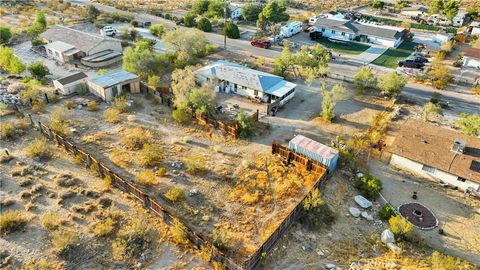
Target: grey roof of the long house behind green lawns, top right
x=358 y=28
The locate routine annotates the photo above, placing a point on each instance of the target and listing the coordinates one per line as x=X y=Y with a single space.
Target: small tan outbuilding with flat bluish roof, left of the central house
x=114 y=83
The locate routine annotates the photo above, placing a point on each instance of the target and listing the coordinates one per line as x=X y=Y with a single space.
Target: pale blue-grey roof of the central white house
x=250 y=78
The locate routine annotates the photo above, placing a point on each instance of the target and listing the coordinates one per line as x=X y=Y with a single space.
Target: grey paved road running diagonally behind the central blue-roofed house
x=457 y=97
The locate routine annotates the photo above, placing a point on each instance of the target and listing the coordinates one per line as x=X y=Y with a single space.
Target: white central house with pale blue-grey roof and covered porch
x=234 y=78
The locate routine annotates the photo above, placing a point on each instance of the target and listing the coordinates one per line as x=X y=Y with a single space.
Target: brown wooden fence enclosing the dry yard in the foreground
x=197 y=239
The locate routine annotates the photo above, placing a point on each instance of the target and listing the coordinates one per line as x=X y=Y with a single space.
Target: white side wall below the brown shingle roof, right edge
x=416 y=168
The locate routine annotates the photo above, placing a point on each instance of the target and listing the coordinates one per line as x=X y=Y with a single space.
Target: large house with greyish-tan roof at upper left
x=67 y=45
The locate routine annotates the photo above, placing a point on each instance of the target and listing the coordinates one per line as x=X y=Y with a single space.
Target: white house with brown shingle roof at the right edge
x=438 y=154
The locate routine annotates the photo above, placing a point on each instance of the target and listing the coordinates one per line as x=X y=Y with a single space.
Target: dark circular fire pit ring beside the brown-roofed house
x=419 y=215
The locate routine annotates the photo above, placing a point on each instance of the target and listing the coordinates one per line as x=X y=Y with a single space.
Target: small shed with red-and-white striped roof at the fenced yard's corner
x=315 y=150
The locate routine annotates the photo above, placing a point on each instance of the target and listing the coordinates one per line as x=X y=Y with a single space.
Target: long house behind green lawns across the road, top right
x=345 y=30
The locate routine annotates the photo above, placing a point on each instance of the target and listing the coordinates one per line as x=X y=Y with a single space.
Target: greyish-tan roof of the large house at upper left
x=81 y=40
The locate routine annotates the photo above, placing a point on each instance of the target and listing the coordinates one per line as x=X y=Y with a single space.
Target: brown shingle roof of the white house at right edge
x=431 y=145
